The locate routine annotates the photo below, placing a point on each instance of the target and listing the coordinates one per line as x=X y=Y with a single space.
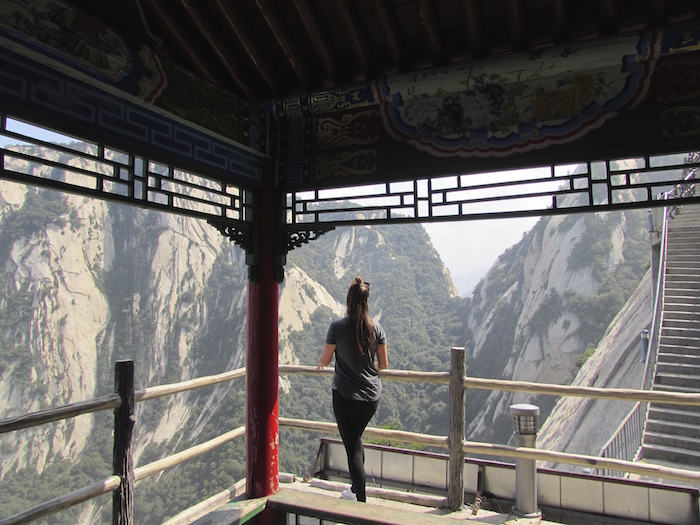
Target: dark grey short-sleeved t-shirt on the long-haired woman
x=356 y=376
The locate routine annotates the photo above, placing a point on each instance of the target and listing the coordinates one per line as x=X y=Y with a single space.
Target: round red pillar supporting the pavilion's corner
x=262 y=408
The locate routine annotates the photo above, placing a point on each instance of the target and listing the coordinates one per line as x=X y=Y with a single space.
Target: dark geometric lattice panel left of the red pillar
x=40 y=157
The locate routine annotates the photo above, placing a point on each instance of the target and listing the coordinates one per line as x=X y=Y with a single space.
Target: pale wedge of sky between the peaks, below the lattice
x=469 y=248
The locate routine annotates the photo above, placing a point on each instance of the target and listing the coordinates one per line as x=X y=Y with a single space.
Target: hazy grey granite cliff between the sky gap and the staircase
x=532 y=315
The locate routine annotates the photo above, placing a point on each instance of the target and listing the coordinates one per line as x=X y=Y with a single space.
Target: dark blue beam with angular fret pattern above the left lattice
x=49 y=97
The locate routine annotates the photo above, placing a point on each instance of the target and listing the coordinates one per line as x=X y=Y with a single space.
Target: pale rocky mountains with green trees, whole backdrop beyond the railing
x=85 y=283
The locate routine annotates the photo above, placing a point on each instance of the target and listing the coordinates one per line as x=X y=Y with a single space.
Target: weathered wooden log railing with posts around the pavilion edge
x=125 y=475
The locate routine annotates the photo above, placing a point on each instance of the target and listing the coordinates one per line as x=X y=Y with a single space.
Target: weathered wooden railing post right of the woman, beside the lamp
x=455 y=484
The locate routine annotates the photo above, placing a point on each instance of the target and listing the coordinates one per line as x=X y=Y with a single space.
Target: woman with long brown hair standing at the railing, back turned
x=359 y=345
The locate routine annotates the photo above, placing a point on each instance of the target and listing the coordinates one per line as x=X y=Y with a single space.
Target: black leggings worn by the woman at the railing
x=352 y=418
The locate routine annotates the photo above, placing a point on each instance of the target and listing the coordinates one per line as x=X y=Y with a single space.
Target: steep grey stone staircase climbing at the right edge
x=672 y=432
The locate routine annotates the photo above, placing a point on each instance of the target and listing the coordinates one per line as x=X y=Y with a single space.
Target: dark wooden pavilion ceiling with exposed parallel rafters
x=262 y=49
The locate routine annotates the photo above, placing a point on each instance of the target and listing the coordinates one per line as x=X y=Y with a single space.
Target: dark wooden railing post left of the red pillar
x=122 y=460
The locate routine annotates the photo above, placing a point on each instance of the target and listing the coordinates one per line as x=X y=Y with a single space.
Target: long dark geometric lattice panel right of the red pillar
x=591 y=186
